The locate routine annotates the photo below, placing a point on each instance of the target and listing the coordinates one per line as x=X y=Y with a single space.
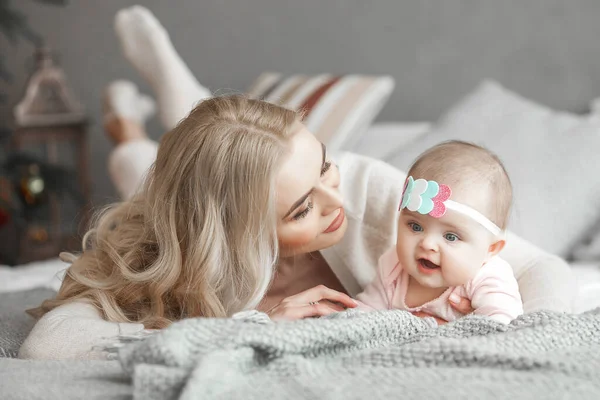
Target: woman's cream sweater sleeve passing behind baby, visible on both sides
x=372 y=191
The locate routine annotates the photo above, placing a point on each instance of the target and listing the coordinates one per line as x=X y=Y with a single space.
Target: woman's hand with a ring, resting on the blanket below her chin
x=316 y=302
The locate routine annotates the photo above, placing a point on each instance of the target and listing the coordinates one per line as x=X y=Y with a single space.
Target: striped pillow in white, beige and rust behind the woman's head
x=338 y=109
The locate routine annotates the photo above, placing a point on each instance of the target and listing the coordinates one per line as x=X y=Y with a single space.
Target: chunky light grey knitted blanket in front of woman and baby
x=355 y=355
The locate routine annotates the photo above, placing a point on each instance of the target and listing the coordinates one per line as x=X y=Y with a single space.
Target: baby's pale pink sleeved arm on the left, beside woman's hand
x=375 y=296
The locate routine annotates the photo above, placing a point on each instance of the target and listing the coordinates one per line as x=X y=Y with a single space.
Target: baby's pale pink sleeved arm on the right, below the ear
x=495 y=292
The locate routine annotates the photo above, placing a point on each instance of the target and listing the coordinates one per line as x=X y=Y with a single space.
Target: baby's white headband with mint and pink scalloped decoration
x=431 y=198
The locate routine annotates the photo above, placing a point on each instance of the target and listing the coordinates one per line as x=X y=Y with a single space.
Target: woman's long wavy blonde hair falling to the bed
x=200 y=237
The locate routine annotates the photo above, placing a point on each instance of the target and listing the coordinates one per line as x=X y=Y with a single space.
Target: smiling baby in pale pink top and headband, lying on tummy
x=453 y=213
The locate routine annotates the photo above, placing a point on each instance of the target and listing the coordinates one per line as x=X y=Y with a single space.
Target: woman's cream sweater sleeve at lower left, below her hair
x=71 y=331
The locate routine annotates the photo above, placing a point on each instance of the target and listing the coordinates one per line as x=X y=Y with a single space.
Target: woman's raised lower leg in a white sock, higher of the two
x=146 y=44
